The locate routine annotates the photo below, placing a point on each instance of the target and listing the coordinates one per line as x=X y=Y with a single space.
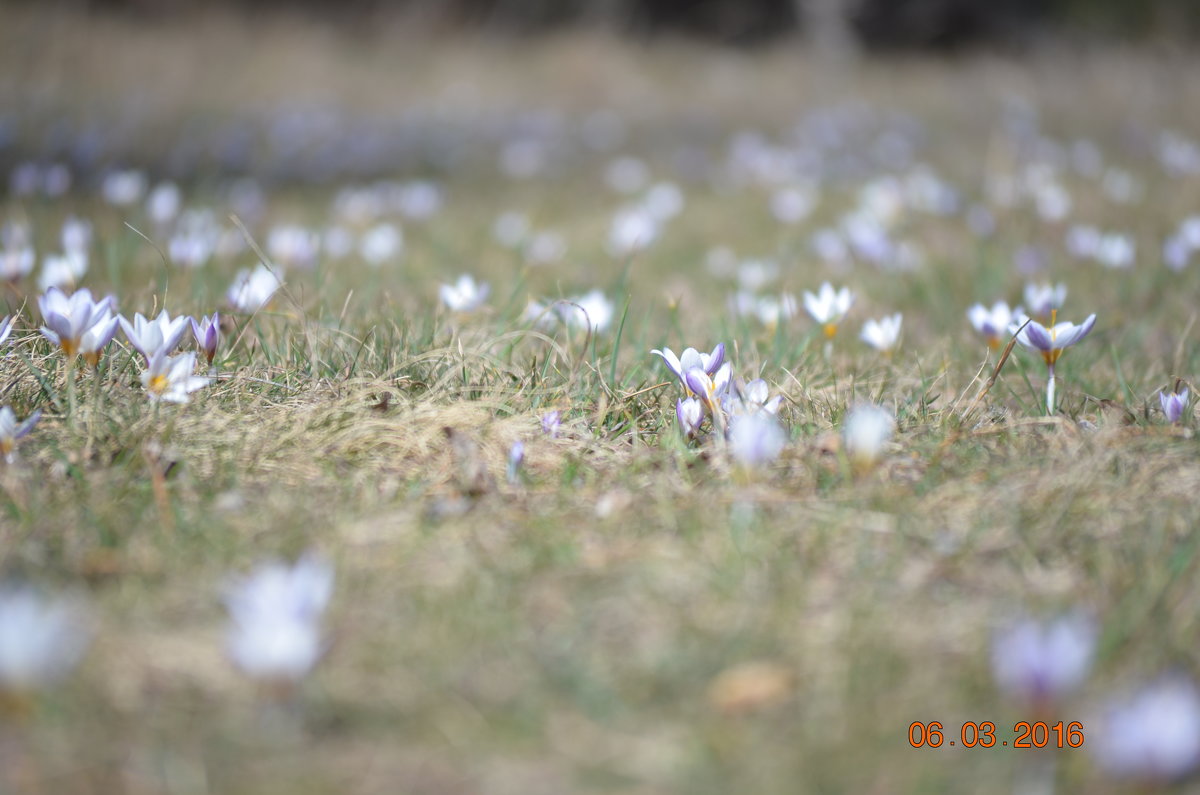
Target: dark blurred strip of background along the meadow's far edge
x=874 y=25
